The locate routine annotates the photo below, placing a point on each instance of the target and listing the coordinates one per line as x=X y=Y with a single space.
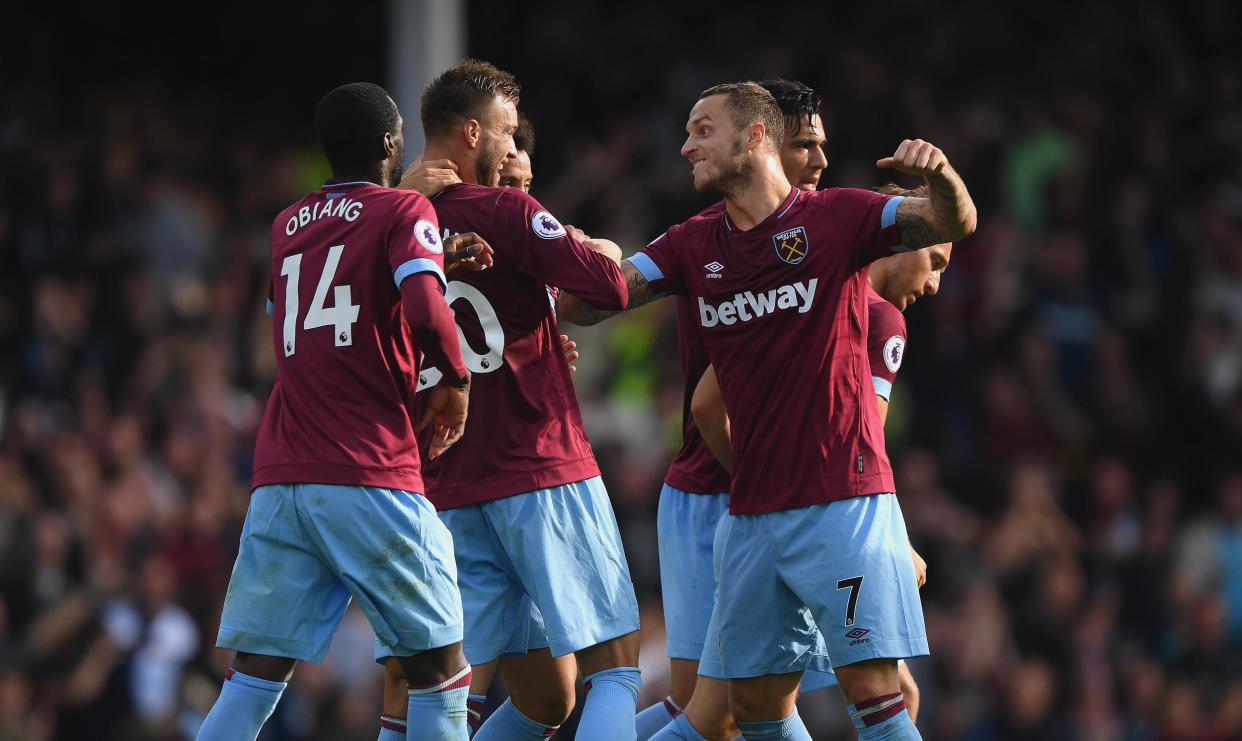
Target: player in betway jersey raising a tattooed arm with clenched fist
x=815 y=538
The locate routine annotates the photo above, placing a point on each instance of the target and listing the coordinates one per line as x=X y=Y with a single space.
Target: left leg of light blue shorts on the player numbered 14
x=283 y=599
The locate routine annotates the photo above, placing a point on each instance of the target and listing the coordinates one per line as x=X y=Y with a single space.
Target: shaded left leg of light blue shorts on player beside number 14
x=499 y=615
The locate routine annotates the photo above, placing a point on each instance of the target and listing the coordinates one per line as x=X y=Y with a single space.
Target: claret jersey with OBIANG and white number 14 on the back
x=347 y=366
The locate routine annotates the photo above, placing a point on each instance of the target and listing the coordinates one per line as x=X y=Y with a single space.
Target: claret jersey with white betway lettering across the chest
x=783 y=313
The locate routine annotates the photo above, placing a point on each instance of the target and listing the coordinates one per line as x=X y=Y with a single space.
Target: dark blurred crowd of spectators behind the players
x=1067 y=428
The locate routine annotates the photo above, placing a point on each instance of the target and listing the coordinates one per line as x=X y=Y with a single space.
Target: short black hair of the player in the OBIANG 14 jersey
x=352 y=121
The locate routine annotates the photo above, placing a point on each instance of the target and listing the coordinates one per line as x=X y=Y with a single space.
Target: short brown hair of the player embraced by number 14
x=463 y=92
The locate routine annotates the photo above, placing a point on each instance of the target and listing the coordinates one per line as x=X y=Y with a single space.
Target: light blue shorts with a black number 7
x=839 y=573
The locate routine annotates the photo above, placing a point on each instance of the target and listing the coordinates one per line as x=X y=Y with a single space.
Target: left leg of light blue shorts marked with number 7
x=758 y=625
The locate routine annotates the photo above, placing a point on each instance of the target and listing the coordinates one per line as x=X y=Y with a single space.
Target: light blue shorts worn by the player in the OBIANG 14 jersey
x=306 y=549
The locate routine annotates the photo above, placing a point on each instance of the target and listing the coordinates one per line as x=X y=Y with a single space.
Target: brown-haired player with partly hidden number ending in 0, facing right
x=522 y=496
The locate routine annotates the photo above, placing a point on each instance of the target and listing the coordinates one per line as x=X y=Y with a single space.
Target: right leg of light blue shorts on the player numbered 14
x=397 y=559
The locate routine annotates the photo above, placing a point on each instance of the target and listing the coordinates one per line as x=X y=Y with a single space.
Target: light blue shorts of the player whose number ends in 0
x=557 y=550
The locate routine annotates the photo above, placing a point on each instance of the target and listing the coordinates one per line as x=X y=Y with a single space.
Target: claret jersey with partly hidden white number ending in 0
x=525 y=431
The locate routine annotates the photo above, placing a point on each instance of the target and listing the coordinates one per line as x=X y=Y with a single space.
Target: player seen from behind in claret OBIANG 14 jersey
x=337 y=511
